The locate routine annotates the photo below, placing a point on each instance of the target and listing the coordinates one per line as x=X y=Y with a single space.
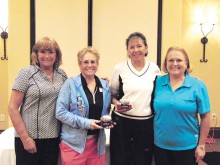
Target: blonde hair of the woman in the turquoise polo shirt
x=175 y=48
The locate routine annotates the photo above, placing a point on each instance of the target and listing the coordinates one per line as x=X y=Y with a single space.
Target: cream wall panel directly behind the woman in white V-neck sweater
x=114 y=20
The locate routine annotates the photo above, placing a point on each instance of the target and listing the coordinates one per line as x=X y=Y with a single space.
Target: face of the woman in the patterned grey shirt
x=46 y=58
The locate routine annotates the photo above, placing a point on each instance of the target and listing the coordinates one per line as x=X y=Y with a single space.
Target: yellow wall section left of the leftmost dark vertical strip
x=18 y=51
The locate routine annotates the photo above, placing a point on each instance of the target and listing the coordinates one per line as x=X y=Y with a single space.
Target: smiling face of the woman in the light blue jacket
x=88 y=65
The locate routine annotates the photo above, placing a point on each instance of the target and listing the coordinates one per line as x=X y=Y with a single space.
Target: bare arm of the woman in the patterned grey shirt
x=14 y=104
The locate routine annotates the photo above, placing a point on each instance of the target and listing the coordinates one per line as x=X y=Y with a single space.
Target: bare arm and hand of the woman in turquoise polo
x=204 y=130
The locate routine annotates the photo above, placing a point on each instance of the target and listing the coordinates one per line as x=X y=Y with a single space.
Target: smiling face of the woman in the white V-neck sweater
x=136 y=49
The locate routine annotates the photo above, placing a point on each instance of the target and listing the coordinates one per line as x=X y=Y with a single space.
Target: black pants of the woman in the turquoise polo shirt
x=170 y=157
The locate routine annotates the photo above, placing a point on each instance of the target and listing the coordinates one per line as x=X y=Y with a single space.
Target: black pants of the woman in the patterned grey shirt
x=47 y=152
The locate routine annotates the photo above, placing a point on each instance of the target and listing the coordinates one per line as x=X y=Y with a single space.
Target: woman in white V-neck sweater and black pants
x=131 y=140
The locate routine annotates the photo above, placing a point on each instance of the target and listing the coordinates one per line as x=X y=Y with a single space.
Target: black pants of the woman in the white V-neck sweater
x=131 y=141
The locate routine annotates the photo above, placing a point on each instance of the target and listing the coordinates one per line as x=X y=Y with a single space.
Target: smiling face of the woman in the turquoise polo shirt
x=176 y=63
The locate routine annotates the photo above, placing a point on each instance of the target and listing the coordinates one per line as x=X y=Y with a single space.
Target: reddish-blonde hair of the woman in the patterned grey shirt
x=46 y=43
